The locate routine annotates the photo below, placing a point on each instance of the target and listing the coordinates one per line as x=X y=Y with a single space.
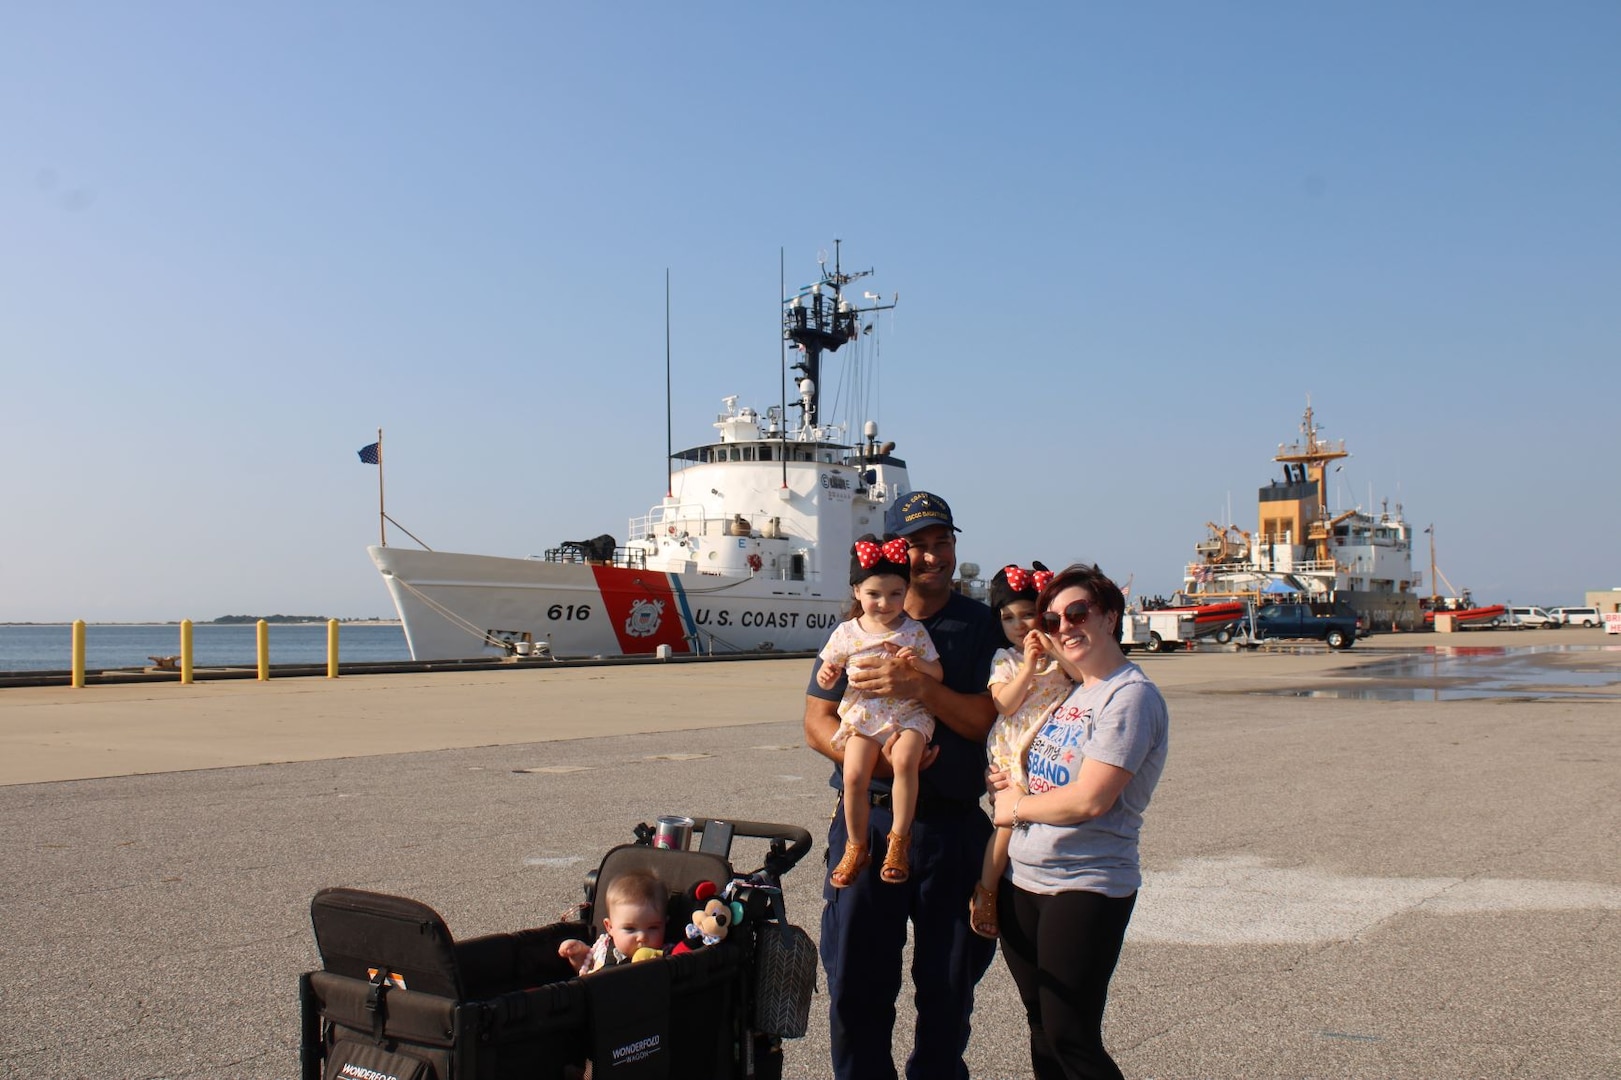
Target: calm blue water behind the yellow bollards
x=51 y=648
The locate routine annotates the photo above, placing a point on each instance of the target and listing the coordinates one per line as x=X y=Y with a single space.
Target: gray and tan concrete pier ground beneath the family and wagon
x=1333 y=888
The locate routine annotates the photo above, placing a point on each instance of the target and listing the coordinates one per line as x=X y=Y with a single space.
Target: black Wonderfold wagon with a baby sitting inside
x=398 y=998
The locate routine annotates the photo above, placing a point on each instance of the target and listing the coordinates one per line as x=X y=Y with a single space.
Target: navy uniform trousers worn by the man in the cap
x=865 y=932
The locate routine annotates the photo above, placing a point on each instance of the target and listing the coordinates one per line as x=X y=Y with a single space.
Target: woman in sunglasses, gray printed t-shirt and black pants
x=1074 y=864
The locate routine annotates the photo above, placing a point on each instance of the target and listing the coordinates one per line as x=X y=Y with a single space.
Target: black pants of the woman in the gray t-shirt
x=1063 y=951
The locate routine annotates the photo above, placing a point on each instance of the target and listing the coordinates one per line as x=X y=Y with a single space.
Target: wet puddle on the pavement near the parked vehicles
x=1476 y=674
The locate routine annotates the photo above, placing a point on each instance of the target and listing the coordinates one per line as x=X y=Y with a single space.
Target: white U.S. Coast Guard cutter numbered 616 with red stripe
x=750 y=552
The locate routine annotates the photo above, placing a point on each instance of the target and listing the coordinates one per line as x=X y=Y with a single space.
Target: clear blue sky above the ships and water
x=1129 y=242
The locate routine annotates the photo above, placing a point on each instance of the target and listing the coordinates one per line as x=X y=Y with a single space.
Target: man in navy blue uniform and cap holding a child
x=865 y=927
